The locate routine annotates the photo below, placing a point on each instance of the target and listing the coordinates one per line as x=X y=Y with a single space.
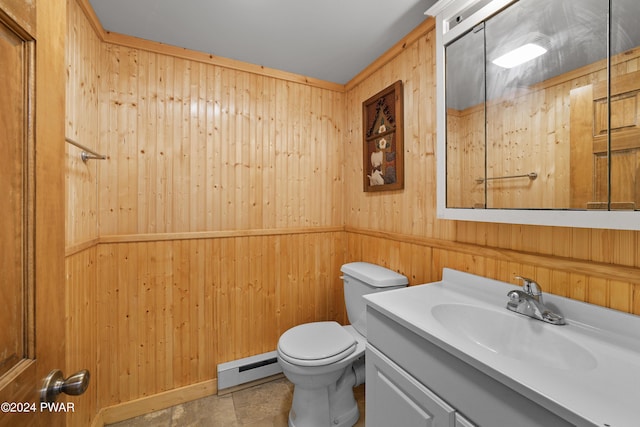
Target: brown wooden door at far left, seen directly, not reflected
x=32 y=210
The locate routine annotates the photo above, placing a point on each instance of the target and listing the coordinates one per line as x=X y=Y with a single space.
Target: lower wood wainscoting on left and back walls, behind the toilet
x=148 y=316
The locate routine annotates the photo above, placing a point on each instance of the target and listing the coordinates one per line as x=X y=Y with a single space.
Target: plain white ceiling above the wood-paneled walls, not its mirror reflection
x=331 y=40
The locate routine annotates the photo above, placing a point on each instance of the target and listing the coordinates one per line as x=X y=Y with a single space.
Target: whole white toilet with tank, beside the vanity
x=325 y=361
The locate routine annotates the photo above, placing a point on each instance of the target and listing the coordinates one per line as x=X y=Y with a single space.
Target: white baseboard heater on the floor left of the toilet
x=249 y=369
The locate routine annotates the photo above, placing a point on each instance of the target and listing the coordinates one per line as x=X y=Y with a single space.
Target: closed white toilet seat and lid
x=316 y=344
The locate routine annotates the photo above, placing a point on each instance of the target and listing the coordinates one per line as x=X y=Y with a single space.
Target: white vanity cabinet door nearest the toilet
x=394 y=398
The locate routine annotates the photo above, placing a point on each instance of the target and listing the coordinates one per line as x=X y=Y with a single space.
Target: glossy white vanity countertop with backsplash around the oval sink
x=603 y=391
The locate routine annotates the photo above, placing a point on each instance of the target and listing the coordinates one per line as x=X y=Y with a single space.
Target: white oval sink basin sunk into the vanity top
x=512 y=335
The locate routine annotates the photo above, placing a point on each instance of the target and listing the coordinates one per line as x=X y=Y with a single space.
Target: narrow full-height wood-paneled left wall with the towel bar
x=83 y=56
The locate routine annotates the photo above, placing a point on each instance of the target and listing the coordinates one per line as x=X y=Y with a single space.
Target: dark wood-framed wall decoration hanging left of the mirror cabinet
x=383 y=144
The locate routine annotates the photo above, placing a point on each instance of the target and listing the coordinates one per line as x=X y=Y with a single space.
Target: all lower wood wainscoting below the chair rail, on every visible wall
x=151 y=316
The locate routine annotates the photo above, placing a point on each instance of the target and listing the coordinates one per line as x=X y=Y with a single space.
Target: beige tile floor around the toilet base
x=265 y=405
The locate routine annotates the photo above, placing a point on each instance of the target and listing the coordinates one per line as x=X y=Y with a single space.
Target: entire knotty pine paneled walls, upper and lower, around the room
x=219 y=214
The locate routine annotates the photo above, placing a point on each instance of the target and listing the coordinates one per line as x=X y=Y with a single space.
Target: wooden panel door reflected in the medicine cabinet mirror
x=591 y=180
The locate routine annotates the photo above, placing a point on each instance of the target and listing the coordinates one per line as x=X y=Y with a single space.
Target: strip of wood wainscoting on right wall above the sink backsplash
x=422 y=260
